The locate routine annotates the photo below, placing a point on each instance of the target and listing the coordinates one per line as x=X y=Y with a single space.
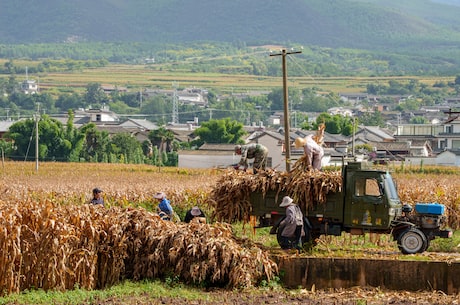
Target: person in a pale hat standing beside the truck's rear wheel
x=292 y=225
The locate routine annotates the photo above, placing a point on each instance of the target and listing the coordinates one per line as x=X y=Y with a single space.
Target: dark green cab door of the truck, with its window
x=365 y=204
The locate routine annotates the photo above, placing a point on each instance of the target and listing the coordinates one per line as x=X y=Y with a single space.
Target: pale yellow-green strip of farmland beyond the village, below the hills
x=140 y=77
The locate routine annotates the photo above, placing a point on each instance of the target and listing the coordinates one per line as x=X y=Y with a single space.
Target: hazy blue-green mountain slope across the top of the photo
x=361 y=24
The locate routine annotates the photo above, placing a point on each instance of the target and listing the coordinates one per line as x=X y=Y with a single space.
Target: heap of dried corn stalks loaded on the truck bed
x=230 y=196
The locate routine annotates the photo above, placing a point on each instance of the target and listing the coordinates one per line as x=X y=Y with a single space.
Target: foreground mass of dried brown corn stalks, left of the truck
x=53 y=246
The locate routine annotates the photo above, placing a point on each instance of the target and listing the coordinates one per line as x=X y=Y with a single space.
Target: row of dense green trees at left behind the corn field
x=57 y=142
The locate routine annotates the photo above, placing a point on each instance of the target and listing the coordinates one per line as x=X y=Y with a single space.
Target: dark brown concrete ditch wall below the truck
x=326 y=273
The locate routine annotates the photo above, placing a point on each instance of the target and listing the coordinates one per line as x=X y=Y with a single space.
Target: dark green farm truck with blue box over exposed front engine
x=368 y=202
